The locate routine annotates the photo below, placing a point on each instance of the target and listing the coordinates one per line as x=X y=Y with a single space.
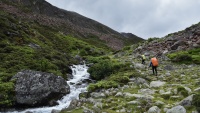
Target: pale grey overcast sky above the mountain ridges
x=144 y=18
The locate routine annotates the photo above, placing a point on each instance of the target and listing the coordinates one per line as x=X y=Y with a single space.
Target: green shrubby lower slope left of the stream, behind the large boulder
x=29 y=45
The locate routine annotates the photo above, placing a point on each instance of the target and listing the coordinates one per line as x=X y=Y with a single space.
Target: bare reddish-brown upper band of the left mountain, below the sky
x=66 y=21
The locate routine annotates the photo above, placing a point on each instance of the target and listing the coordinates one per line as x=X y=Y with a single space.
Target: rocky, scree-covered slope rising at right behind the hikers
x=183 y=40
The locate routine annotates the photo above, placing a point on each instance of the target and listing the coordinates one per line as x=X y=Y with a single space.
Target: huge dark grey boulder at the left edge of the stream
x=35 y=88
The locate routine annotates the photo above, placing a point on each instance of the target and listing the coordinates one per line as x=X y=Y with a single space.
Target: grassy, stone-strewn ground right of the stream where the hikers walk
x=125 y=85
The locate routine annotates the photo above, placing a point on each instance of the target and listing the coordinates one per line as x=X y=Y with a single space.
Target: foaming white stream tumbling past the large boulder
x=79 y=73
